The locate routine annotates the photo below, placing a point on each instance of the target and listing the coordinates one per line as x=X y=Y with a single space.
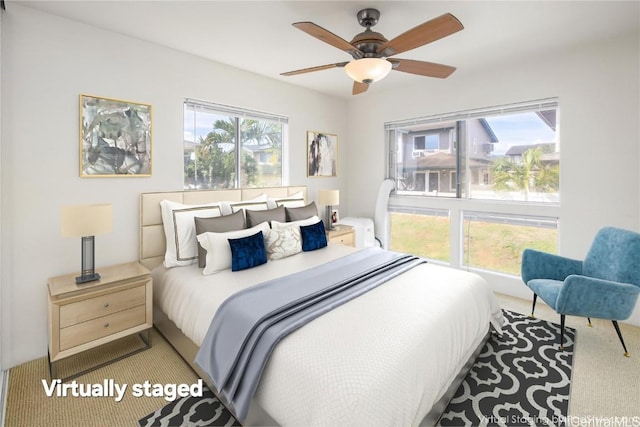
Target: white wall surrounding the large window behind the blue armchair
x=599 y=95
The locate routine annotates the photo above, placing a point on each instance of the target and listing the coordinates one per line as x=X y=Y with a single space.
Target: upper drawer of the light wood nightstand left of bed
x=92 y=308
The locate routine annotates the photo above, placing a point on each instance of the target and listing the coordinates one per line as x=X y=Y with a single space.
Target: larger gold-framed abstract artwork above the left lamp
x=115 y=137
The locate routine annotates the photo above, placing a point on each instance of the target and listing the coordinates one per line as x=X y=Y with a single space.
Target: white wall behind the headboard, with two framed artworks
x=46 y=63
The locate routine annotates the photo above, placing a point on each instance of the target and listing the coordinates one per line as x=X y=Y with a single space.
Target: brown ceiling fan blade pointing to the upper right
x=427 y=32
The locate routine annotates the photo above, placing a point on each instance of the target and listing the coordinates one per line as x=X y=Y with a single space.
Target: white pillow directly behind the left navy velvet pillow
x=218 y=249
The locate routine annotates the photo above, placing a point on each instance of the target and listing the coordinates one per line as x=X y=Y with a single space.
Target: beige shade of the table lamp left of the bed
x=86 y=220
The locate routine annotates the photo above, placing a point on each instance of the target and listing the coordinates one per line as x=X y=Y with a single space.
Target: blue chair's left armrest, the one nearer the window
x=543 y=265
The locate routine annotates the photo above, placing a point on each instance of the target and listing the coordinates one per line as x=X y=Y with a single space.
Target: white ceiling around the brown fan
x=258 y=36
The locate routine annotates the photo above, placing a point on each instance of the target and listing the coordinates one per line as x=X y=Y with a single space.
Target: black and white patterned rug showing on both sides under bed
x=519 y=379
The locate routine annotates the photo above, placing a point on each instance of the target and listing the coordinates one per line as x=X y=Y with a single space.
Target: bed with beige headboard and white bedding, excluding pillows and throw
x=393 y=356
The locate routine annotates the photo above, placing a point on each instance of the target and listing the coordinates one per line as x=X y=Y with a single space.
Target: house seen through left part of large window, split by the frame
x=427 y=157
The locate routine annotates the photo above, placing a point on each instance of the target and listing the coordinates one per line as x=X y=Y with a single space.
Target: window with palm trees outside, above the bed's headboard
x=226 y=147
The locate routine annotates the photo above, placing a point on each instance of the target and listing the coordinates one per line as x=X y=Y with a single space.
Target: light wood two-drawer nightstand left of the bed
x=85 y=316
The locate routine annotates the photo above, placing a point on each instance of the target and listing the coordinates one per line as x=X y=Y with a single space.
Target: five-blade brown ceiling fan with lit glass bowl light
x=370 y=49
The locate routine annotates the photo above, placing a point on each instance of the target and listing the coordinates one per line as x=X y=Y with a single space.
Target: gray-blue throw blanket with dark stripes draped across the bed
x=248 y=325
